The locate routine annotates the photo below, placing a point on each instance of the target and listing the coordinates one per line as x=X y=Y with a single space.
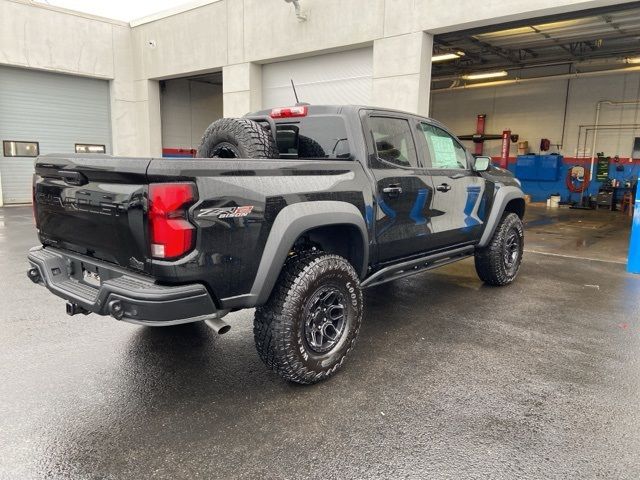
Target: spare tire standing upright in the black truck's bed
x=237 y=138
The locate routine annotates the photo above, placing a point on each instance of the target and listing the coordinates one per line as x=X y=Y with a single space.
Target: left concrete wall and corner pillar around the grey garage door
x=48 y=38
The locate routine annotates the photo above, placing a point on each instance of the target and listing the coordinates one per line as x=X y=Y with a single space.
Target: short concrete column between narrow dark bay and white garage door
x=241 y=89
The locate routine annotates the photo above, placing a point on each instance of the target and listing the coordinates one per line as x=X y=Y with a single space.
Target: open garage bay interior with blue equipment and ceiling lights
x=568 y=87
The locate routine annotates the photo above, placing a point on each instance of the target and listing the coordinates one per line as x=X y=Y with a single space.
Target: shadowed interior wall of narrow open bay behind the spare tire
x=187 y=108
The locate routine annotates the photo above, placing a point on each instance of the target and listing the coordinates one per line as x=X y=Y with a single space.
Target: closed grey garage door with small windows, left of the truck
x=50 y=112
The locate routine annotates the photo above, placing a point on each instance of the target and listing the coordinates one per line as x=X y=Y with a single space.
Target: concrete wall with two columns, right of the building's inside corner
x=264 y=31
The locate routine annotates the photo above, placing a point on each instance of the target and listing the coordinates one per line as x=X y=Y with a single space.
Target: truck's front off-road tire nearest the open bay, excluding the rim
x=491 y=264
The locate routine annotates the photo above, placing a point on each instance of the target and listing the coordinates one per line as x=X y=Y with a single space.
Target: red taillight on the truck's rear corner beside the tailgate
x=171 y=233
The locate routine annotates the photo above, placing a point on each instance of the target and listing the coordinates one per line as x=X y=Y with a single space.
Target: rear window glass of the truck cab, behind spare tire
x=313 y=137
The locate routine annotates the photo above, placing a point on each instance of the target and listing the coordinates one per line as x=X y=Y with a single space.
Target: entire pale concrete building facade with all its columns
x=238 y=36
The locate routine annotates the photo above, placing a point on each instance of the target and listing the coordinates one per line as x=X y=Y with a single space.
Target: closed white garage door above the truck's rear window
x=333 y=78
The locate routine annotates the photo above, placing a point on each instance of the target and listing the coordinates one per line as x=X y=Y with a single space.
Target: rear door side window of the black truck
x=394 y=143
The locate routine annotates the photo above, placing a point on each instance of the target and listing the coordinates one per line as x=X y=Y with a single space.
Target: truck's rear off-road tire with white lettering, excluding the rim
x=279 y=325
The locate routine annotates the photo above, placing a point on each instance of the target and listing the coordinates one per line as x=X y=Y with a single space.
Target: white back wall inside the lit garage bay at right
x=535 y=110
